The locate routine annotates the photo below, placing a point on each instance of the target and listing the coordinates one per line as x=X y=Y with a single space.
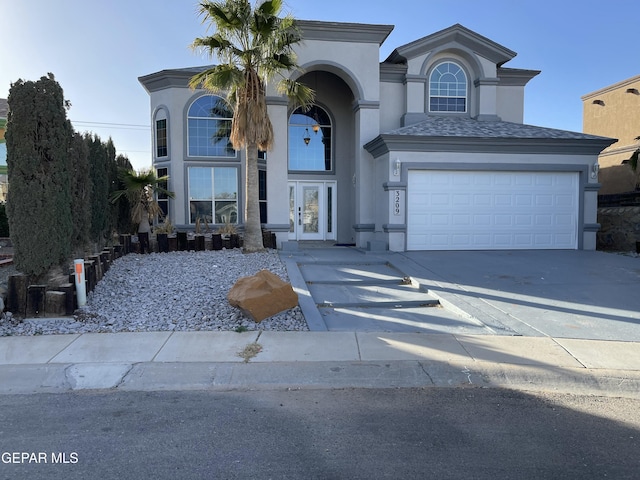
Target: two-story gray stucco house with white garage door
x=424 y=151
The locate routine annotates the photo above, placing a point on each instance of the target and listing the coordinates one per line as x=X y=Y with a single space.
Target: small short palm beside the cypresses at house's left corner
x=140 y=189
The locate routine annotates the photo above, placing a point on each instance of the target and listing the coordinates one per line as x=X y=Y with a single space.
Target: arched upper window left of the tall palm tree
x=209 y=124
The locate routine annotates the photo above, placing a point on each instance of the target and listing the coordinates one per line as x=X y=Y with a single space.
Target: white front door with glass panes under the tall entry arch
x=312 y=210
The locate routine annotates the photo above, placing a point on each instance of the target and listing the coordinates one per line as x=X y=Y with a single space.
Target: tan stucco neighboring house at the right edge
x=614 y=111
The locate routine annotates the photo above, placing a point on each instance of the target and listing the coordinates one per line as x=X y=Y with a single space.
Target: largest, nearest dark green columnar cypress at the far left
x=39 y=199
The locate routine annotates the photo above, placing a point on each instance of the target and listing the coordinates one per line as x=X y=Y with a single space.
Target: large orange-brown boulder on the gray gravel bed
x=262 y=295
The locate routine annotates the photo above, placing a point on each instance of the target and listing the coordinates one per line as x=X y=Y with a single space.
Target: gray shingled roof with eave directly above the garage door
x=459 y=133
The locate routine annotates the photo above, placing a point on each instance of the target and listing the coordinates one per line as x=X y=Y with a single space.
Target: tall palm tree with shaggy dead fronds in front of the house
x=253 y=45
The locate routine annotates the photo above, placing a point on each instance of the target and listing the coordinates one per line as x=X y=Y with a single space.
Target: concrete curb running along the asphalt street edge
x=158 y=376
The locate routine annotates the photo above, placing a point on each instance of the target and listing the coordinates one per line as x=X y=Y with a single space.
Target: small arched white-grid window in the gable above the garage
x=448 y=88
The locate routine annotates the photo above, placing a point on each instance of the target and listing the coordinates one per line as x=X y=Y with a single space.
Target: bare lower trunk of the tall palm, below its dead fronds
x=252 y=227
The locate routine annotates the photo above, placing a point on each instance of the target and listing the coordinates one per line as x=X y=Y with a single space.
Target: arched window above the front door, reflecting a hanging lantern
x=310 y=140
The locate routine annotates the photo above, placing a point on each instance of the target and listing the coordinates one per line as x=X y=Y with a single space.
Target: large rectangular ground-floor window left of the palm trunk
x=213 y=194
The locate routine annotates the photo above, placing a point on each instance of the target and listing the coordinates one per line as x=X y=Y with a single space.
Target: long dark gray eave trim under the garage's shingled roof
x=386 y=143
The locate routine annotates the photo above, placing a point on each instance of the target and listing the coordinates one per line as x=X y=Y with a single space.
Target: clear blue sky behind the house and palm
x=98 y=49
